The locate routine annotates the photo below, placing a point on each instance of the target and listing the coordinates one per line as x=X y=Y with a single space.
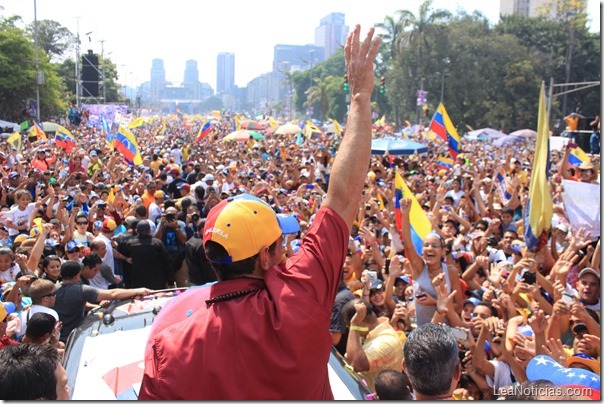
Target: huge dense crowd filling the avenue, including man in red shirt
x=469 y=314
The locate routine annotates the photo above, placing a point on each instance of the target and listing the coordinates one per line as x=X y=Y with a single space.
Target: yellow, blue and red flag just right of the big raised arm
x=420 y=225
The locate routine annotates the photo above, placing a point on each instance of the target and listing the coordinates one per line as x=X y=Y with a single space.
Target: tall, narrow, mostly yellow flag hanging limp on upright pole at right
x=538 y=211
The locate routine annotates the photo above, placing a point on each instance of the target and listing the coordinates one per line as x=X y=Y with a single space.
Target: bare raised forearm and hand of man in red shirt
x=350 y=166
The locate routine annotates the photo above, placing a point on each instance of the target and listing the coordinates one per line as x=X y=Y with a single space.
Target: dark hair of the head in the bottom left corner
x=28 y=372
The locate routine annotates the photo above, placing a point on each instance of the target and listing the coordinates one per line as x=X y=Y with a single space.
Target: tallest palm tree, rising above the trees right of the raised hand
x=420 y=25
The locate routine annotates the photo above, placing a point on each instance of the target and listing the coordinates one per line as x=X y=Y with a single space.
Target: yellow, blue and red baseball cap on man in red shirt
x=243 y=224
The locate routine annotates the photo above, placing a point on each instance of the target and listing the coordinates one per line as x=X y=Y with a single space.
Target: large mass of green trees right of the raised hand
x=491 y=75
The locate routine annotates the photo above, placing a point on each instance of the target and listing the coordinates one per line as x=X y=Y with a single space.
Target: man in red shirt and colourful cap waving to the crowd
x=262 y=331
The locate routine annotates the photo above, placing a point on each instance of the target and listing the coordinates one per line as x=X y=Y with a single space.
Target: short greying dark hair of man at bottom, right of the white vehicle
x=431 y=359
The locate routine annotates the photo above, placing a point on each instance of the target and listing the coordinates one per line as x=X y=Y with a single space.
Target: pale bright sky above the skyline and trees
x=136 y=31
